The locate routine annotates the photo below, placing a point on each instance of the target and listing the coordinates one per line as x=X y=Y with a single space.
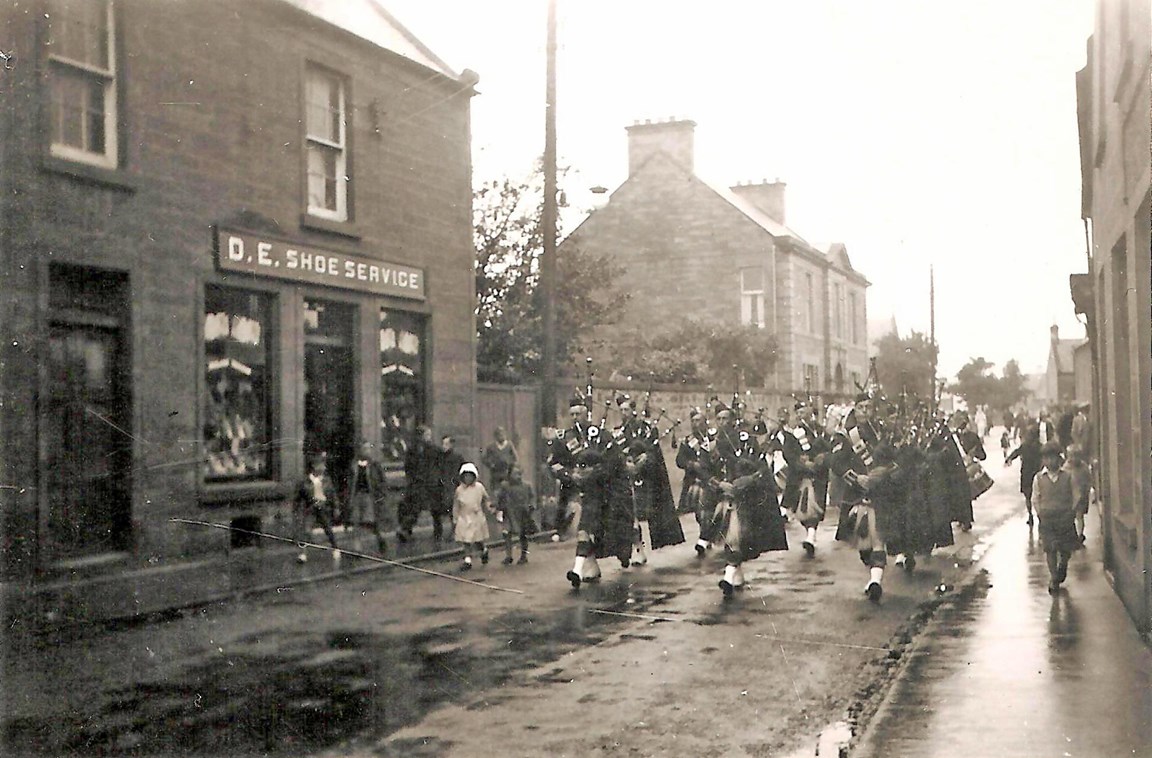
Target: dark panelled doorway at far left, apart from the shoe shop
x=88 y=441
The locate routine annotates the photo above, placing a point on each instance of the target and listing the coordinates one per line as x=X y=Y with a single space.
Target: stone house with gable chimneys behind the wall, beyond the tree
x=717 y=254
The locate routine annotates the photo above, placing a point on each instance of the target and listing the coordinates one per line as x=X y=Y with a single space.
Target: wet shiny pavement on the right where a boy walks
x=1009 y=671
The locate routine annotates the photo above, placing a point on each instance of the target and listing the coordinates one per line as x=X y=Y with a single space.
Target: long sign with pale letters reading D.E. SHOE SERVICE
x=253 y=254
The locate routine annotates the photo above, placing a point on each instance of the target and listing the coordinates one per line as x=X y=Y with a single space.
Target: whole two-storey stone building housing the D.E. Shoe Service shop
x=225 y=245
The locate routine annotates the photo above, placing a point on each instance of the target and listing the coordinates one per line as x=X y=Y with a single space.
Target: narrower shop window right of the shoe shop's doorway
x=404 y=352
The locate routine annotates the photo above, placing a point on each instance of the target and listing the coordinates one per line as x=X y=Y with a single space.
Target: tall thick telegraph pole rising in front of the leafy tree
x=549 y=257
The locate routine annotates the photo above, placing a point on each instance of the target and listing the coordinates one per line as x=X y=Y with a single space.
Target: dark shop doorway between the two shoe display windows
x=329 y=385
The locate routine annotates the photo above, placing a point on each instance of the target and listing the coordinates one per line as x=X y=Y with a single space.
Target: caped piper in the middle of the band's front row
x=747 y=520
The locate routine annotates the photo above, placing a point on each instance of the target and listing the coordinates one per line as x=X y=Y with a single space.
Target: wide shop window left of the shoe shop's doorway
x=238 y=413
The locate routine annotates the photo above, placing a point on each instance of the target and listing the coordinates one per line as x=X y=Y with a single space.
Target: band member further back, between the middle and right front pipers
x=807 y=488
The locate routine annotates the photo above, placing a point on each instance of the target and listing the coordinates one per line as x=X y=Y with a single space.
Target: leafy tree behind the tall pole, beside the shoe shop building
x=510 y=309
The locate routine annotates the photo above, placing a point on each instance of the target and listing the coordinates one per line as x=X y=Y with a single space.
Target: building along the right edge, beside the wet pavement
x=1113 y=105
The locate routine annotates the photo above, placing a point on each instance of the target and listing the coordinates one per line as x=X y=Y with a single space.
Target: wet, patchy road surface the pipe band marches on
x=651 y=662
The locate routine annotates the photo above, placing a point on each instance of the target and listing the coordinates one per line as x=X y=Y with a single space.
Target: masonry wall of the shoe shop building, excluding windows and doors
x=211 y=108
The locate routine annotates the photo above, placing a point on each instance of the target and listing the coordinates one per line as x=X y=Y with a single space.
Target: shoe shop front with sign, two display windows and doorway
x=306 y=351
